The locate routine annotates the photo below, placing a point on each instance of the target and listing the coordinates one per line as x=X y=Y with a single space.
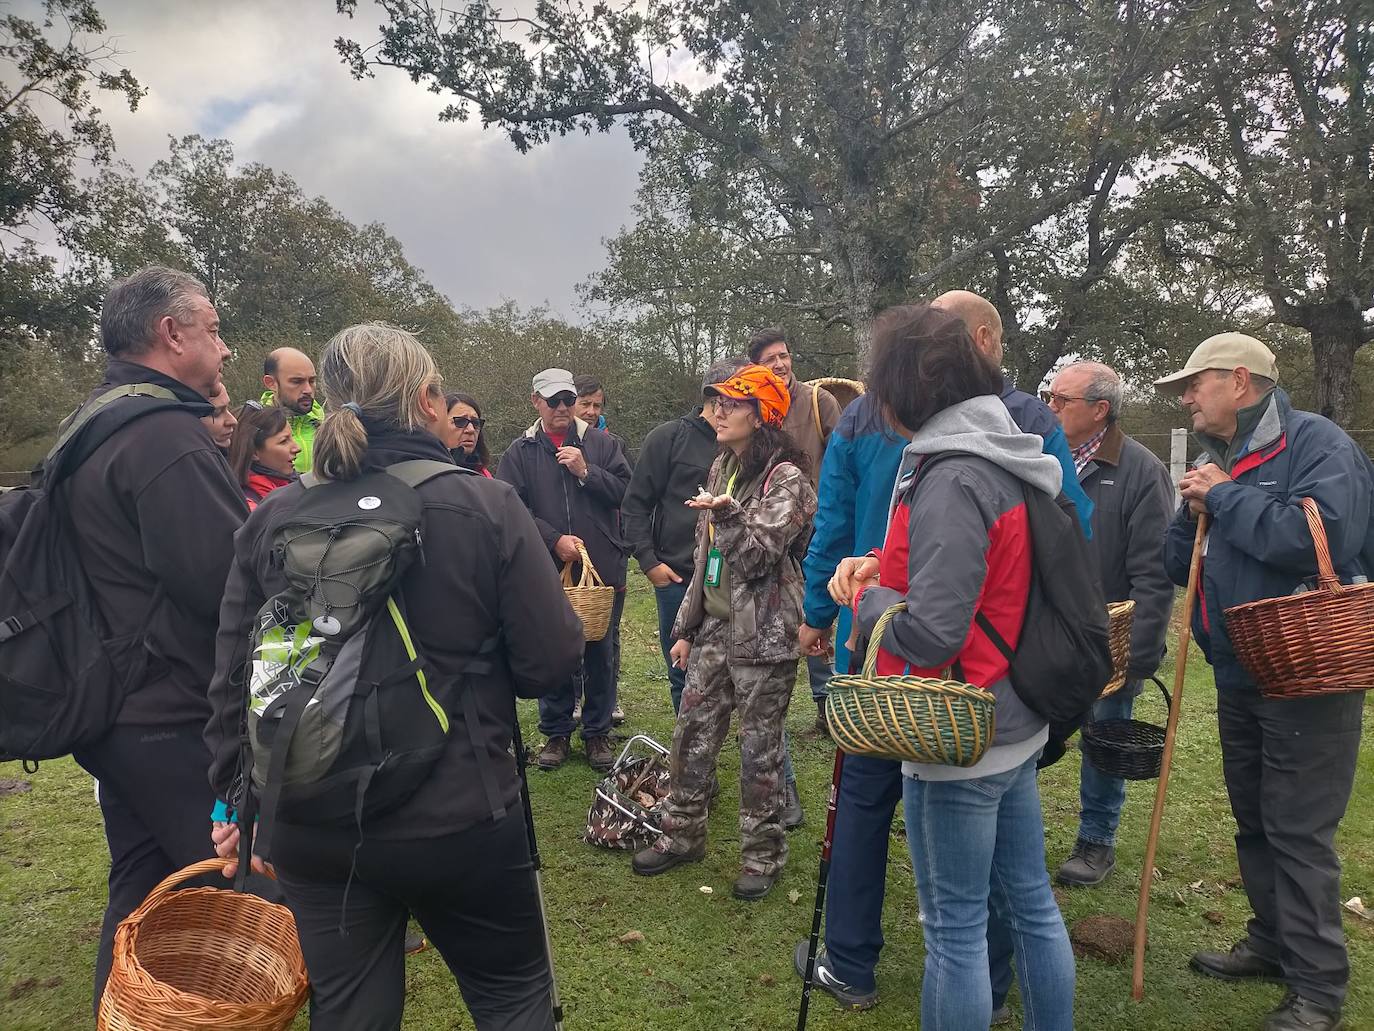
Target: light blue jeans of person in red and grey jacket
x=978 y=843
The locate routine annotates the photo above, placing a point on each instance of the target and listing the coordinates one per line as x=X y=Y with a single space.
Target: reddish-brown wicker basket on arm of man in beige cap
x=1309 y=644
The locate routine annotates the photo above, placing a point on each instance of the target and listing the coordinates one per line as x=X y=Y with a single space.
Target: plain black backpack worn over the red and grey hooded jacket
x=1064 y=658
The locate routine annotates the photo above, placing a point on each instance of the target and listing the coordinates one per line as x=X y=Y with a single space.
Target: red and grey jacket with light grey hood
x=958 y=544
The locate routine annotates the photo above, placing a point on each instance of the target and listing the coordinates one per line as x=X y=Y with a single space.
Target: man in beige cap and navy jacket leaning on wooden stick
x=1289 y=765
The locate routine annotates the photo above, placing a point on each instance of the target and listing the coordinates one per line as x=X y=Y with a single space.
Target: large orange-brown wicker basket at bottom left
x=204 y=959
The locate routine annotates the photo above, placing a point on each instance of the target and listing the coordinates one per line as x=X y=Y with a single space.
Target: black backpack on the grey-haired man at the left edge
x=63 y=678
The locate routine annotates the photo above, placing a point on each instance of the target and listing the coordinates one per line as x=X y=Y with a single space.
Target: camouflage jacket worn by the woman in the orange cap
x=758 y=537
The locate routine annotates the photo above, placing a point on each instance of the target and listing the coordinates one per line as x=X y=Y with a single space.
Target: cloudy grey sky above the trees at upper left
x=483 y=221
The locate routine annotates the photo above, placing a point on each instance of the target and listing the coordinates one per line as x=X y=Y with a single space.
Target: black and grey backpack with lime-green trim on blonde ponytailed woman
x=344 y=717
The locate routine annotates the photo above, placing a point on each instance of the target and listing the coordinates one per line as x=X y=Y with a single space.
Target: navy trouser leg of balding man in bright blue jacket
x=869 y=794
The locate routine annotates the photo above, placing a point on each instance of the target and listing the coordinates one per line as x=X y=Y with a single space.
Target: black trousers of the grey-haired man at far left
x=156 y=801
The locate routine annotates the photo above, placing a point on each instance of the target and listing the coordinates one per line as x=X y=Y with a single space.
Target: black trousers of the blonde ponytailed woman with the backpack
x=473 y=893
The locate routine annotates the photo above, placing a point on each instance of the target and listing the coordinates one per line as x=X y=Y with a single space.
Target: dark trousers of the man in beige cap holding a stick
x=1289 y=771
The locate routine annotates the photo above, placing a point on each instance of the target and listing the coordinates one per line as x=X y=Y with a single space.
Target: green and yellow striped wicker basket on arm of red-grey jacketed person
x=912 y=718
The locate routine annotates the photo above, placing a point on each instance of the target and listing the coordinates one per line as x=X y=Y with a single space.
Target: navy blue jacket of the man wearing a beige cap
x=1259 y=545
